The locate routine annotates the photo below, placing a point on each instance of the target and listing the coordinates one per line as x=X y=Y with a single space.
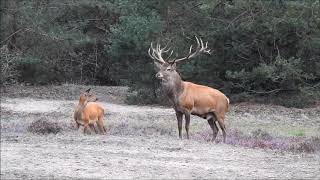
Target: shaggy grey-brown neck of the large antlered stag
x=173 y=88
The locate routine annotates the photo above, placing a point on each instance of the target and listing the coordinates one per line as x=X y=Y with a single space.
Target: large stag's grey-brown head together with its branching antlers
x=167 y=65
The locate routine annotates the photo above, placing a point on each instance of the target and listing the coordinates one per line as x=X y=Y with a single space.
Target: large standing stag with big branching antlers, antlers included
x=189 y=98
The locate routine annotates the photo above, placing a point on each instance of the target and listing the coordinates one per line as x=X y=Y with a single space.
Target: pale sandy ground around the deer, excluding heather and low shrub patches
x=142 y=143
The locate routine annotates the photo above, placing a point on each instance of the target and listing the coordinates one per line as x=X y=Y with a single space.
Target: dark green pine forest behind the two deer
x=265 y=51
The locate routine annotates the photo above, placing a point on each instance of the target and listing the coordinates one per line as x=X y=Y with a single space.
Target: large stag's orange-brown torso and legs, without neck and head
x=205 y=102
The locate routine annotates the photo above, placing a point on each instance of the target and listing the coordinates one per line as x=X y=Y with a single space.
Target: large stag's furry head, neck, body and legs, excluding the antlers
x=193 y=99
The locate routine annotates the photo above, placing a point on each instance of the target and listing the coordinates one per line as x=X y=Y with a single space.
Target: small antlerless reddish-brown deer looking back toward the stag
x=87 y=113
